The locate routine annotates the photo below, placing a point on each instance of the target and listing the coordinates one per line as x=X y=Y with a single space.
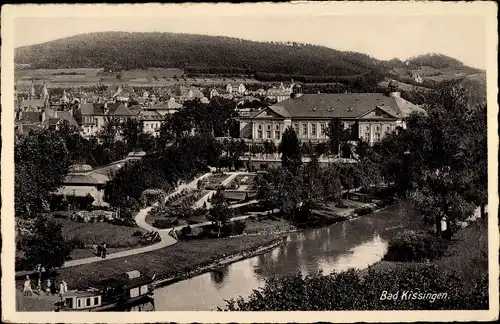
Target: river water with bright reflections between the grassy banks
x=351 y=244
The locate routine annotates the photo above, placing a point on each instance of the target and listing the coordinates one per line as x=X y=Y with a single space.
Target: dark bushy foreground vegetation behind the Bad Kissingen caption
x=351 y=290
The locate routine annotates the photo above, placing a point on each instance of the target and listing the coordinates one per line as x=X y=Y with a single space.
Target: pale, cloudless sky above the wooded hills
x=383 y=37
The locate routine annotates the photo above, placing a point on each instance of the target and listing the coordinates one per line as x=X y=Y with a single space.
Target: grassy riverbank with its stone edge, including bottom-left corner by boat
x=169 y=264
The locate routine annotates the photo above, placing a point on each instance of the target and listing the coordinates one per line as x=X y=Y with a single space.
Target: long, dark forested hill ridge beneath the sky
x=196 y=52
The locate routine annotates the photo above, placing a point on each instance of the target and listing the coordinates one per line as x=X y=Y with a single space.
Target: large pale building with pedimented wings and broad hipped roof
x=367 y=115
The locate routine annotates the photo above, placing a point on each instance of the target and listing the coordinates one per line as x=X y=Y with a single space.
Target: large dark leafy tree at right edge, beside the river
x=439 y=158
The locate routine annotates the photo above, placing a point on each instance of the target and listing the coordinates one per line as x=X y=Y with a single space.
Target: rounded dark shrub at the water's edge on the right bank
x=415 y=246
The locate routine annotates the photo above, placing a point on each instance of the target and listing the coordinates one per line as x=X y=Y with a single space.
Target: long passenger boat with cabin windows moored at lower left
x=110 y=294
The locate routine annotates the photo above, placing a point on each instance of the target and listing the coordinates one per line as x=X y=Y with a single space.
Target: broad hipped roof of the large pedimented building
x=341 y=105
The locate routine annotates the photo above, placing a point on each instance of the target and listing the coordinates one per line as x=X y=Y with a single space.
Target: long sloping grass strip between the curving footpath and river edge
x=176 y=259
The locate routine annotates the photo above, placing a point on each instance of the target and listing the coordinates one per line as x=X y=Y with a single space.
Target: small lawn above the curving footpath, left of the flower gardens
x=115 y=236
